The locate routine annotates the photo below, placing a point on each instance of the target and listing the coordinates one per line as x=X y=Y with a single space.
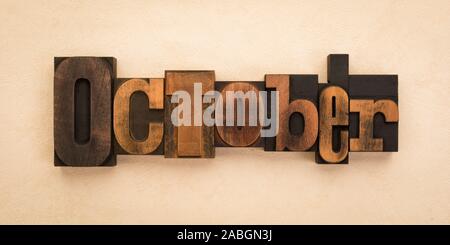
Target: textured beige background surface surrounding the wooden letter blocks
x=241 y=40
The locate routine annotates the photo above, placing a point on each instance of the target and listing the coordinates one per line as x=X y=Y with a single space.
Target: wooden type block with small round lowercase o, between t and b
x=239 y=136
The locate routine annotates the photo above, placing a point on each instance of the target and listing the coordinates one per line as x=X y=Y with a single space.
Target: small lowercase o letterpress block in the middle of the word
x=244 y=135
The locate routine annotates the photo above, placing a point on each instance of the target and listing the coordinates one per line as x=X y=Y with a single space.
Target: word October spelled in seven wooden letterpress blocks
x=188 y=113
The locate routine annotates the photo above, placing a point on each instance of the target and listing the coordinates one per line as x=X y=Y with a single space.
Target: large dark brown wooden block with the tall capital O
x=83 y=111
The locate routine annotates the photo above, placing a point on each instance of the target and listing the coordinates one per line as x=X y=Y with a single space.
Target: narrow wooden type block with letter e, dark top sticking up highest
x=335 y=145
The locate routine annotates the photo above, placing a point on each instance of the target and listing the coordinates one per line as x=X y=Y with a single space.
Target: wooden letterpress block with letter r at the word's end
x=373 y=112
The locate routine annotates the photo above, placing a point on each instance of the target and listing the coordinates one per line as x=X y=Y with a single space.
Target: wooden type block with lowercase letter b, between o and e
x=297 y=112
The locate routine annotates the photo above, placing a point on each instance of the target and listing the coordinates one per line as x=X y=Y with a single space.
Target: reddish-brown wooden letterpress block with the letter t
x=194 y=139
